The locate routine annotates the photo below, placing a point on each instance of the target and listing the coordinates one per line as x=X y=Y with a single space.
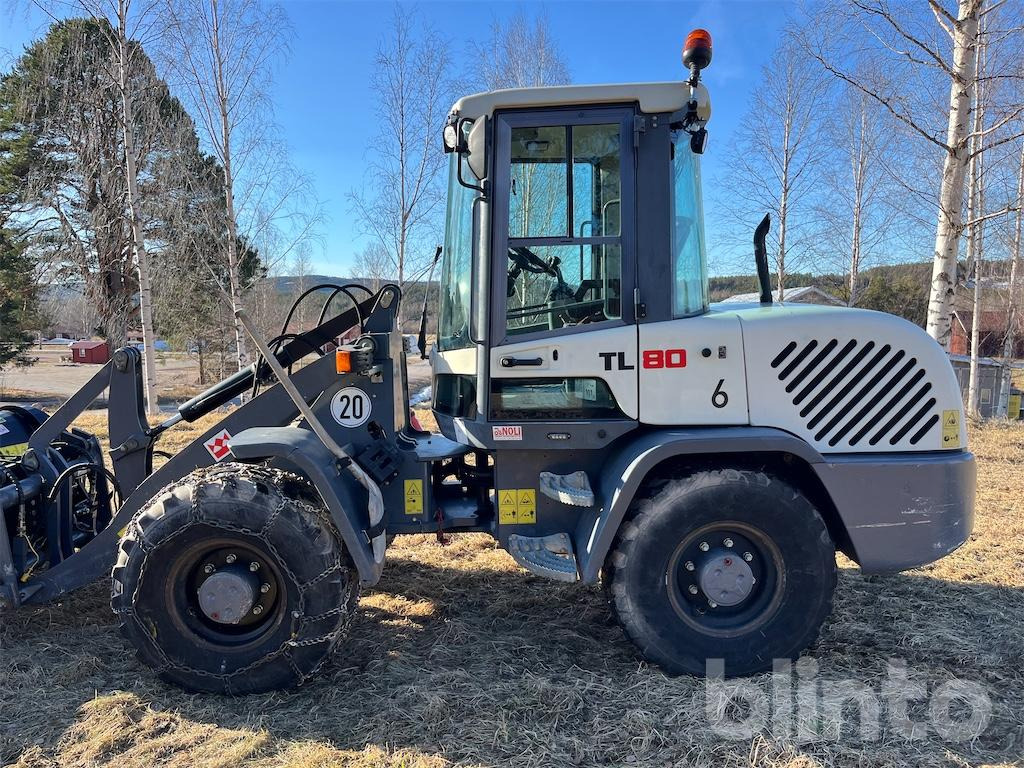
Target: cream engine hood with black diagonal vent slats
x=848 y=380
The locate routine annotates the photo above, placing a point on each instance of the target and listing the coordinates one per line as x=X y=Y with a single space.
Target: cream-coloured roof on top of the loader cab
x=653 y=98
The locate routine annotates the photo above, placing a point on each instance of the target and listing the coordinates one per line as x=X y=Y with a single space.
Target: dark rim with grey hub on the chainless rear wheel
x=726 y=579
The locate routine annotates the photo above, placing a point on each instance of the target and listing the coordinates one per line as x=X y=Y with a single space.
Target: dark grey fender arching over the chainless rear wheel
x=627 y=468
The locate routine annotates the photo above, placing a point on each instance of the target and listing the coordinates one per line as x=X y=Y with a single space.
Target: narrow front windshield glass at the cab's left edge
x=453 y=324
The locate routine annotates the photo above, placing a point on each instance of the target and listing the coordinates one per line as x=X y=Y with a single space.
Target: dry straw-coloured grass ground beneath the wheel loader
x=460 y=658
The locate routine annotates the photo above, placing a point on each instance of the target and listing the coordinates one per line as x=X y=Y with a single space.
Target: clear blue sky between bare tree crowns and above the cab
x=324 y=105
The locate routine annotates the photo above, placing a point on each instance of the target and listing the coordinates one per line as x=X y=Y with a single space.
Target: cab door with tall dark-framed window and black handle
x=565 y=339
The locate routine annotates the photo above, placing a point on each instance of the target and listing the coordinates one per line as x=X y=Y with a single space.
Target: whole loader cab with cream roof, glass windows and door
x=574 y=217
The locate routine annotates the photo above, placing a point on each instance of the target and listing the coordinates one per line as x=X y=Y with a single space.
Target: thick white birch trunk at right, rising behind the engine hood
x=950 y=226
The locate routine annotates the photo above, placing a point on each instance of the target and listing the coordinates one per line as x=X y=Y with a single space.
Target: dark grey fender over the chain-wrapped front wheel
x=302 y=451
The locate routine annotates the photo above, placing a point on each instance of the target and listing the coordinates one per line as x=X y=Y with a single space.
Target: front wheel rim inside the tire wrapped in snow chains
x=228 y=592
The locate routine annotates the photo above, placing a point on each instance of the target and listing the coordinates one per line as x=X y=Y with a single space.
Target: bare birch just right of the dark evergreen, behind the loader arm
x=222 y=55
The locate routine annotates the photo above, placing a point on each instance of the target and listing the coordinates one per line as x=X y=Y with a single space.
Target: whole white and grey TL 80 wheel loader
x=599 y=417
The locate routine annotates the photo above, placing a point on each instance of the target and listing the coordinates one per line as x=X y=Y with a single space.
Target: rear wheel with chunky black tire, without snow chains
x=755 y=550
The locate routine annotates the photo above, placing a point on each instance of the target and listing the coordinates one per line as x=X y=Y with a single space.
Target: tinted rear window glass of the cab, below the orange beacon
x=690 y=264
